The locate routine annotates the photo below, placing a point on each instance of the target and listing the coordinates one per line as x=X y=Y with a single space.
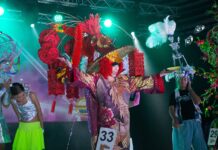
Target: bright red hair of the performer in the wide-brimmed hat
x=105 y=67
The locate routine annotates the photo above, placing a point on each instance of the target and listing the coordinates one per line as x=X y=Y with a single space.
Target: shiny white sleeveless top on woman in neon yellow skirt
x=27 y=111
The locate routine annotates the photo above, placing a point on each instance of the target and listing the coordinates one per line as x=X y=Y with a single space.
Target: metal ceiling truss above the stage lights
x=117 y=6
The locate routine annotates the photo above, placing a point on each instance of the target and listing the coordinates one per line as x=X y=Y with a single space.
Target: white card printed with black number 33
x=106 y=139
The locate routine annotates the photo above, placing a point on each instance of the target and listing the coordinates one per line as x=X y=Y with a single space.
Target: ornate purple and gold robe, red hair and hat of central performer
x=108 y=102
